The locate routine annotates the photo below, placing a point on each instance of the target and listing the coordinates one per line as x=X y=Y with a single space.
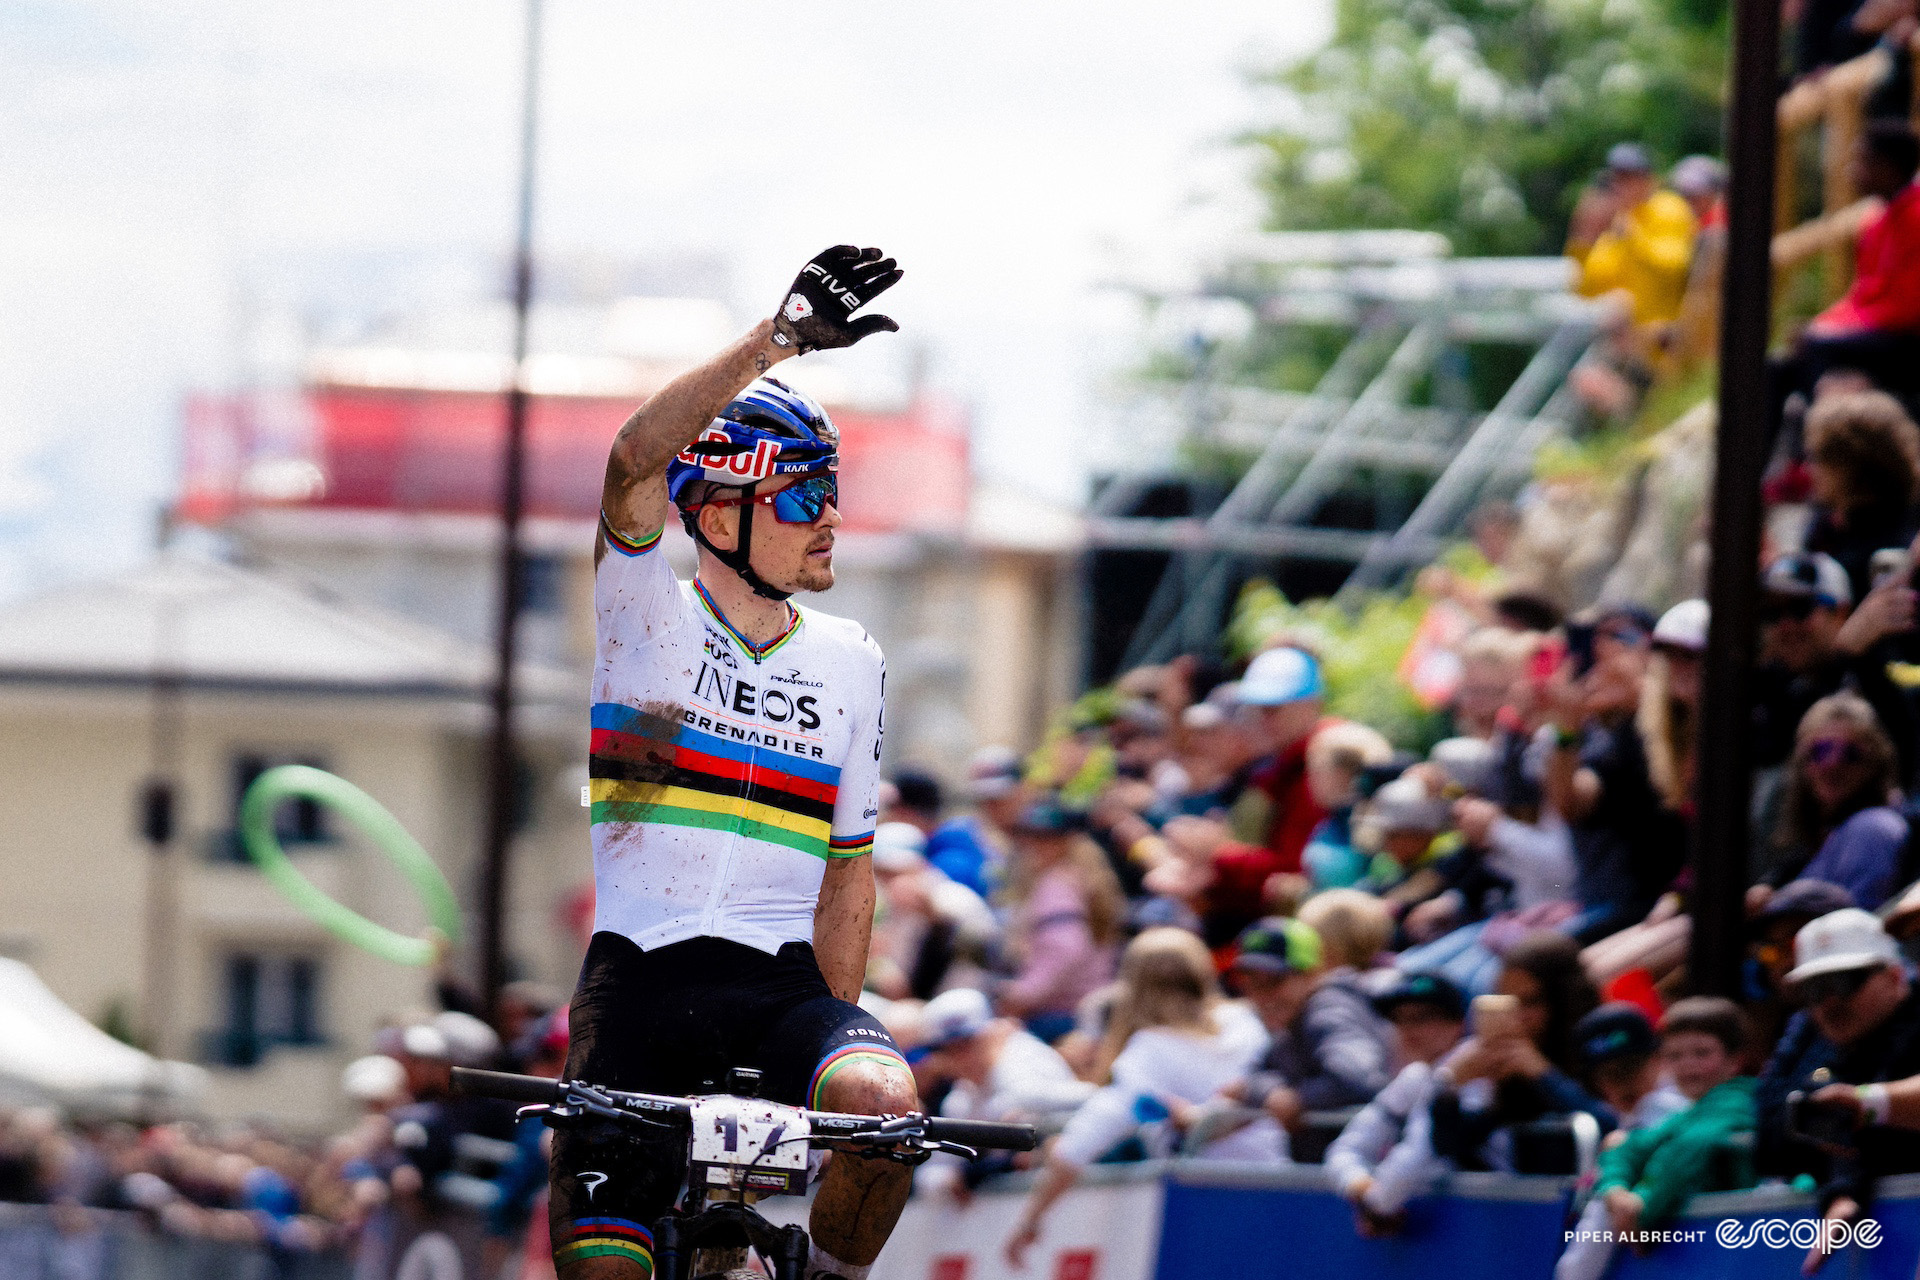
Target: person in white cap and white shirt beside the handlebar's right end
x=997 y=1072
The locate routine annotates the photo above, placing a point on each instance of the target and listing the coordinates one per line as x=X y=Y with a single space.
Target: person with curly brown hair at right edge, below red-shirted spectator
x=1863 y=463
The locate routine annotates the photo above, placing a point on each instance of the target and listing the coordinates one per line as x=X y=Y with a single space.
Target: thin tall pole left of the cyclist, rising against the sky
x=502 y=757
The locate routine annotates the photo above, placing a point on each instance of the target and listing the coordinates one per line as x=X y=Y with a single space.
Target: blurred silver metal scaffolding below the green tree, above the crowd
x=1408 y=308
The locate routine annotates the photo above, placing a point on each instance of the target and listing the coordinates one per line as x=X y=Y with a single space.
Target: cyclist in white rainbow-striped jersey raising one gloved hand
x=734 y=776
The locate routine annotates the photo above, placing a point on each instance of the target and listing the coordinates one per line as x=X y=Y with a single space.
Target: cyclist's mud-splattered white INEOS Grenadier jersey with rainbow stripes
x=723 y=776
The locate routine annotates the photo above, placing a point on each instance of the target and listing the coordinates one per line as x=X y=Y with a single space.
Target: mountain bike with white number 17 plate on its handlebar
x=740 y=1150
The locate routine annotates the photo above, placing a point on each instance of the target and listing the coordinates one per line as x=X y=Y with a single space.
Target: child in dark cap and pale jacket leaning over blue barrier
x=1383 y=1156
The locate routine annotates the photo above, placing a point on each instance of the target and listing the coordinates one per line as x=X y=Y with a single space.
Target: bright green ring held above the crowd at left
x=337 y=794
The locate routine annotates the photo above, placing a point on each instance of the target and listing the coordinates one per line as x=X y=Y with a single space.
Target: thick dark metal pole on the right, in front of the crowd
x=1740 y=460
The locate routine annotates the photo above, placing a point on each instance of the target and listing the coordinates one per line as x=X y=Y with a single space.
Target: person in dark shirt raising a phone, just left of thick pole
x=1627 y=845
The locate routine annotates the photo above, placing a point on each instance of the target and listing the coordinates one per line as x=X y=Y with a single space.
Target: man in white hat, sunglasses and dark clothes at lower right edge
x=1861 y=1026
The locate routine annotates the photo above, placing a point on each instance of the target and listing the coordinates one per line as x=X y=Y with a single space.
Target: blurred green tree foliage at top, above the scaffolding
x=1483 y=118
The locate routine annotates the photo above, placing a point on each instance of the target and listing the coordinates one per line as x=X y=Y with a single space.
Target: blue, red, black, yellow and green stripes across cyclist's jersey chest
x=652 y=769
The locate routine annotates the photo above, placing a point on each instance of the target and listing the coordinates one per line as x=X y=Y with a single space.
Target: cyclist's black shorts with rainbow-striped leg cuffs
x=673 y=1022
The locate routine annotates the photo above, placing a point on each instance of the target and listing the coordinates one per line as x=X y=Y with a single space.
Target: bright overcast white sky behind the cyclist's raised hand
x=180 y=174
